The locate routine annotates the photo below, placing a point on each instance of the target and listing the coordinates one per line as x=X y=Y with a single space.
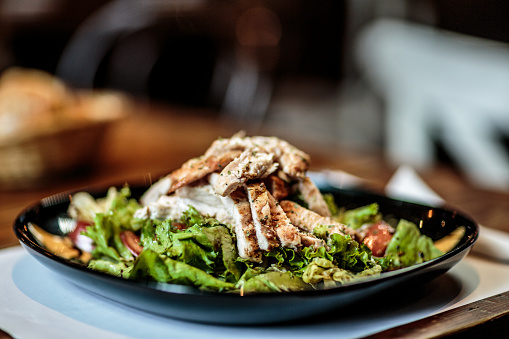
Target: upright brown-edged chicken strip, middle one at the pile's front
x=262 y=217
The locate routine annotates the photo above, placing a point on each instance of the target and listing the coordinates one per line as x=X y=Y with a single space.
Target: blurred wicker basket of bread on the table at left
x=48 y=129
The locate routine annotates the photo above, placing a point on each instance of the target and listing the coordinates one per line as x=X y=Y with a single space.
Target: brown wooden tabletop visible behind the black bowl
x=155 y=140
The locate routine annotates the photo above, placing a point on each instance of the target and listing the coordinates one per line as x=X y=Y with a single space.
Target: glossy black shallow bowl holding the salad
x=192 y=304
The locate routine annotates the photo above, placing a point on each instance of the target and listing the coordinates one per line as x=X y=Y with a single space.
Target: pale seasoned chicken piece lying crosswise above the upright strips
x=250 y=164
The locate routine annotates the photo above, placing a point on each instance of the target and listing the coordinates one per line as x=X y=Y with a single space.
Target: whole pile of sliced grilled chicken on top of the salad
x=236 y=182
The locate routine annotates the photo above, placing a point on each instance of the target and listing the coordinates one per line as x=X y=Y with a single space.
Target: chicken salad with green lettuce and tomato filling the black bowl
x=242 y=218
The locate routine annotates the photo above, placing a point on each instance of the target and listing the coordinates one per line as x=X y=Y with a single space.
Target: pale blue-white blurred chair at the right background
x=439 y=85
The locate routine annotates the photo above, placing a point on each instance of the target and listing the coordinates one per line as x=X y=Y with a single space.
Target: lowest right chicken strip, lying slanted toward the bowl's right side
x=307 y=220
